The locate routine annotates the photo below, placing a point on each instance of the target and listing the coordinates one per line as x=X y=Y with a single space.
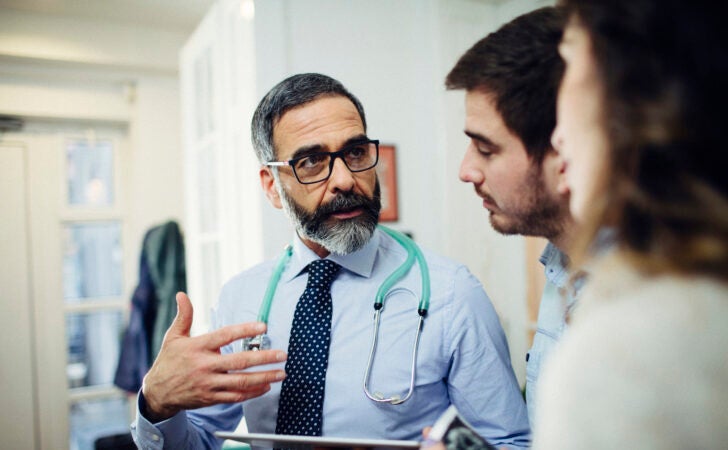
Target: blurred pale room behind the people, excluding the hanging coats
x=119 y=115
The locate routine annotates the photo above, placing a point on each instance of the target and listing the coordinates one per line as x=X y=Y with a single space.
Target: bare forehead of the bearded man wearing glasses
x=326 y=122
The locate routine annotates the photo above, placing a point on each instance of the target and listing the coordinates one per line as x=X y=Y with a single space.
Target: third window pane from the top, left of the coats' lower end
x=93 y=347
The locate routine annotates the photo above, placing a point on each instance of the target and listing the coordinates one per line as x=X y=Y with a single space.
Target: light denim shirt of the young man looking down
x=556 y=300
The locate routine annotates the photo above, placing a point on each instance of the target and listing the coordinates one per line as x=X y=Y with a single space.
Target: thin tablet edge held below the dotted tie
x=311 y=442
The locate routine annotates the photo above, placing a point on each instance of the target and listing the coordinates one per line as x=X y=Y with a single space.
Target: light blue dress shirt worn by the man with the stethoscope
x=463 y=354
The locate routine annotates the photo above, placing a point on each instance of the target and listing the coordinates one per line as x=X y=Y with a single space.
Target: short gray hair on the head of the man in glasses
x=292 y=92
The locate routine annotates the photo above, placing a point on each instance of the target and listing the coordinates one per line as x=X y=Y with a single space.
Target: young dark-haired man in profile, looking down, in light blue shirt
x=511 y=79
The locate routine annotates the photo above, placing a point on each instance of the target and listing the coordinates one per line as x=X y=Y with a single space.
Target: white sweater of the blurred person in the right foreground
x=643 y=366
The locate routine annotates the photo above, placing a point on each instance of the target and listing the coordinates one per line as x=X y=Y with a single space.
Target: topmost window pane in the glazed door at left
x=89 y=171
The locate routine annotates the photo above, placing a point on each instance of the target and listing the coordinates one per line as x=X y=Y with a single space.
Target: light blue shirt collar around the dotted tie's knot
x=360 y=262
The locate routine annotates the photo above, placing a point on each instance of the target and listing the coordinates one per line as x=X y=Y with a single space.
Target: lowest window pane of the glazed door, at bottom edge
x=92 y=419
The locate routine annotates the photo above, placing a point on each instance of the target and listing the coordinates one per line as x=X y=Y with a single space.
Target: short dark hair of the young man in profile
x=520 y=64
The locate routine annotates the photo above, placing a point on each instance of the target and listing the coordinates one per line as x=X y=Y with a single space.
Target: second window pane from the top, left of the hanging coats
x=92 y=260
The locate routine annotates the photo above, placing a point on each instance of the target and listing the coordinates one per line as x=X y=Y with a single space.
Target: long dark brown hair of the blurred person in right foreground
x=664 y=70
